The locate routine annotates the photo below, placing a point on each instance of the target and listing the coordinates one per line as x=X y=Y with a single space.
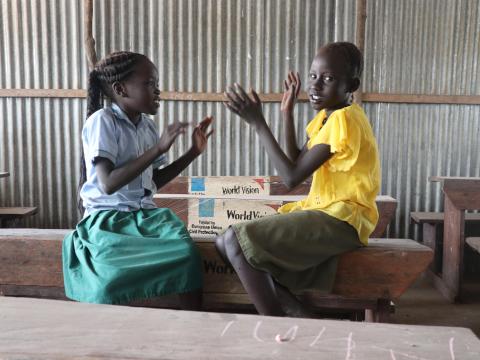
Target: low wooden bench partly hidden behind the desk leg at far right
x=431 y=224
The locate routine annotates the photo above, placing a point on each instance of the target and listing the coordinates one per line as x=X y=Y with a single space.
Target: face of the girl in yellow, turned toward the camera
x=328 y=86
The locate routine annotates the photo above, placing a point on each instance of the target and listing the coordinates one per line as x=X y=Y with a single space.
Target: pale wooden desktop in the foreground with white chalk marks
x=52 y=329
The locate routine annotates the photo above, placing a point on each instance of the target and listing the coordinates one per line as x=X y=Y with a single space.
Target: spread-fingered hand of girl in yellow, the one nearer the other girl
x=247 y=107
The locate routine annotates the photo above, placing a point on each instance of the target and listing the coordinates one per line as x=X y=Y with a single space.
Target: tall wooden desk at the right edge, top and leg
x=460 y=194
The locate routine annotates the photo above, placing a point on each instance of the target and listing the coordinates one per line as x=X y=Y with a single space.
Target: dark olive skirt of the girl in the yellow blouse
x=299 y=249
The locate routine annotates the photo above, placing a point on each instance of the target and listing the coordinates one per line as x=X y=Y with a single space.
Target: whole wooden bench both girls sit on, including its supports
x=367 y=279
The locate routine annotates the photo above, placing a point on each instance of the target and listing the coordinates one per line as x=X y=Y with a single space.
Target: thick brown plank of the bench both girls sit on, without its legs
x=384 y=269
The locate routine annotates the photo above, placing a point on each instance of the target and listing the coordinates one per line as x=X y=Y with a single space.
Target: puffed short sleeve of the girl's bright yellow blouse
x=344 y=137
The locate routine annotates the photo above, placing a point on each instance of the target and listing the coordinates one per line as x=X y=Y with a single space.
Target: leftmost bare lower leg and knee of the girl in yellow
x=259 y=284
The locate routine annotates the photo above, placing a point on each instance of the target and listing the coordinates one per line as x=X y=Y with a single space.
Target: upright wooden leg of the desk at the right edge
x=453 y=245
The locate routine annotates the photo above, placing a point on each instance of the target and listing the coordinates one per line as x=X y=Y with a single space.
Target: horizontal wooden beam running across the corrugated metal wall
x=268 y=98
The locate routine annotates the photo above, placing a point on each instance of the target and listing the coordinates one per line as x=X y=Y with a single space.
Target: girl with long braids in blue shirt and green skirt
x=125 y=248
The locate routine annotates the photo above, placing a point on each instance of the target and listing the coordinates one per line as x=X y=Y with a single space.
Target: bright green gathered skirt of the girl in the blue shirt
x=114 y=257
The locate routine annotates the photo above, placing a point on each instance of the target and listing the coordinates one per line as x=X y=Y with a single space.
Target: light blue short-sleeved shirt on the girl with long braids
x=108 y=133
